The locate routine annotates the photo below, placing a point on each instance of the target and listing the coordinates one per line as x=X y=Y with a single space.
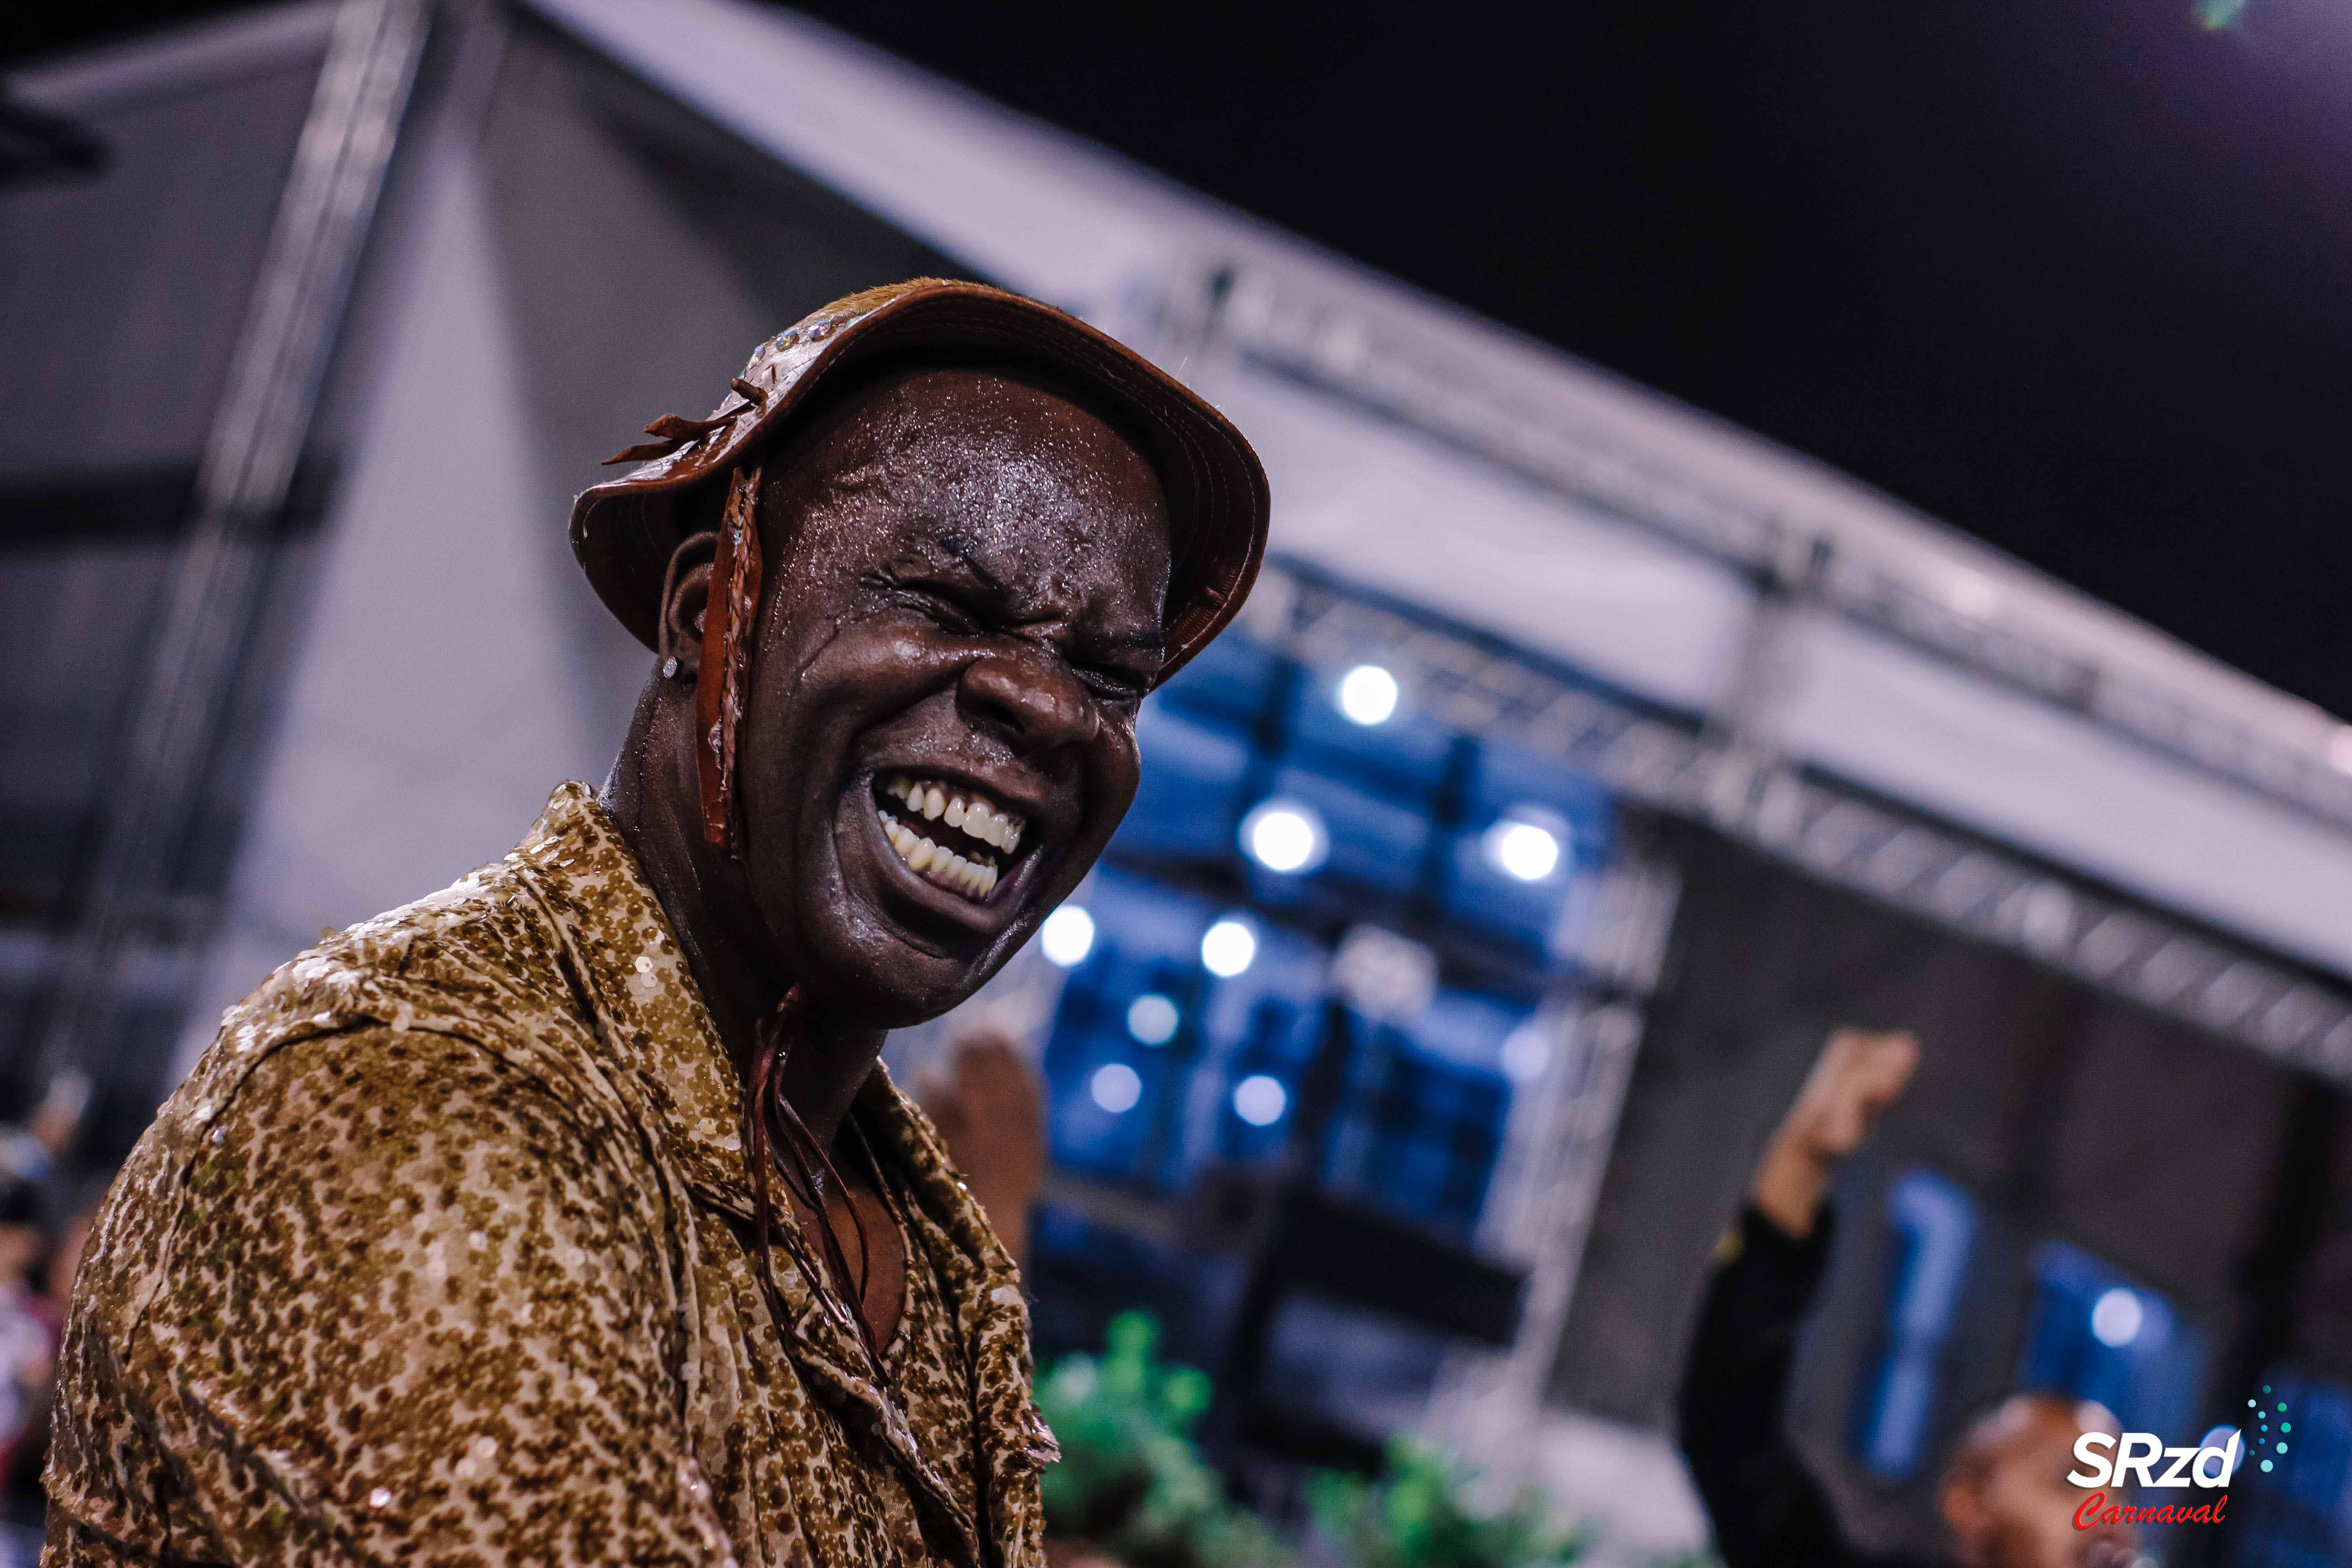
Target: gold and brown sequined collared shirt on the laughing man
x=439 y=1257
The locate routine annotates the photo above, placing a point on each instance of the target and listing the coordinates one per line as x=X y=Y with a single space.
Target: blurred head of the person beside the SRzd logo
x=2017 y=1510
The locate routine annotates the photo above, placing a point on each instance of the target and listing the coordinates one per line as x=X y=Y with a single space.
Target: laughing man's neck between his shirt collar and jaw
x=728 y=946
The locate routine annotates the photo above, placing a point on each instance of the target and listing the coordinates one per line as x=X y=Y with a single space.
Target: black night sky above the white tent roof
x=2066 y=276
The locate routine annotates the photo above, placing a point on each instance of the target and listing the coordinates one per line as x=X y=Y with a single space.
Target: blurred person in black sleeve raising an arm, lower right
x=2005 y=1496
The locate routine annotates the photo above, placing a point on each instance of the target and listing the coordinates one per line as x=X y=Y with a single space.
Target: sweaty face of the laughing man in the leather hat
x=965 y=608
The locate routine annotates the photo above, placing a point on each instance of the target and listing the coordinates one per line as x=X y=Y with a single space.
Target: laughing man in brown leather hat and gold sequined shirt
x=568 y=1217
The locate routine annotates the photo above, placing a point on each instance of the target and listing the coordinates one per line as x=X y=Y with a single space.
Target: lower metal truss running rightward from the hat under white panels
x=1838 y=836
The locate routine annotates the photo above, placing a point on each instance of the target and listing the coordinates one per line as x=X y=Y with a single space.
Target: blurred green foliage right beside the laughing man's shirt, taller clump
x=1130 y=1480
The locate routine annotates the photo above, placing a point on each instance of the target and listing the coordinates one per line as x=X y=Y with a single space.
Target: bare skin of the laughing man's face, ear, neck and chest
x=965 y=582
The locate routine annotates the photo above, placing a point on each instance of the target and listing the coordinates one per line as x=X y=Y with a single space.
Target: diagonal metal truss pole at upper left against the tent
x=243 y=481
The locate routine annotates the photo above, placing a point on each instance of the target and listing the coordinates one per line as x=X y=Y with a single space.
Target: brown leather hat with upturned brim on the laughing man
x=627 y=530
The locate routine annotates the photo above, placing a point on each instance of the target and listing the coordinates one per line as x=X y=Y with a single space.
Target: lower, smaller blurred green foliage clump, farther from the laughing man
x=1419 y=1515
